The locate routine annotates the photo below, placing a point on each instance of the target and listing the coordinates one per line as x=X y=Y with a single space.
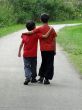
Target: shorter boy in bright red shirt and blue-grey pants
x=29 y=45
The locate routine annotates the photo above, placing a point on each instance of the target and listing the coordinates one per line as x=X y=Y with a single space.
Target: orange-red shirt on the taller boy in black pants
x=46 y=44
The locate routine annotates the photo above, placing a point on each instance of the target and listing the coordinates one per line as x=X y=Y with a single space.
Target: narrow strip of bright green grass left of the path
x=6 y=30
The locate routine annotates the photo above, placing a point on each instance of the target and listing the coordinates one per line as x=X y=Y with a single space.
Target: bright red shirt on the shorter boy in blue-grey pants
x=30 y=44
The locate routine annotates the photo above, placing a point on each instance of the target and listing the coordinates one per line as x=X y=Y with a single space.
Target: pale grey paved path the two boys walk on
x=64 y=92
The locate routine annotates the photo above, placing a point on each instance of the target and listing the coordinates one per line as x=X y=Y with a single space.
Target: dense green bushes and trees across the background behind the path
x=19 y=11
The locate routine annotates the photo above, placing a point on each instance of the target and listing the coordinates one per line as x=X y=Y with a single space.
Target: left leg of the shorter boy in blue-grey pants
x=27 y=68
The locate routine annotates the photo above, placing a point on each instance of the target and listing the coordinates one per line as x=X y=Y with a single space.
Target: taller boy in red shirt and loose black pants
x=48 y=50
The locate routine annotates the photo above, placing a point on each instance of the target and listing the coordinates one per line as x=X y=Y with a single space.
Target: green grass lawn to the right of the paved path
x=70 y=38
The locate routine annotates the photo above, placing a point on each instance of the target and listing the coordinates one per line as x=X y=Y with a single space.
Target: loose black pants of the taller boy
x=47 y=66
